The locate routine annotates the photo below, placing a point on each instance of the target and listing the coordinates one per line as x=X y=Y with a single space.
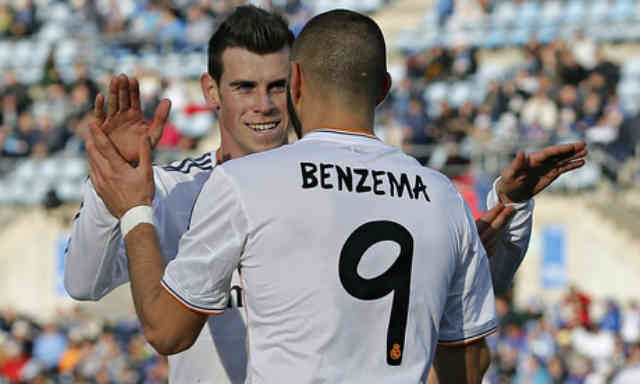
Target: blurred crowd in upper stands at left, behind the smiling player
x=43 y=117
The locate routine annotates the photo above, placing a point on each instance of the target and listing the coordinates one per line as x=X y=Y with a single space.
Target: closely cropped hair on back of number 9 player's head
x=345 y=50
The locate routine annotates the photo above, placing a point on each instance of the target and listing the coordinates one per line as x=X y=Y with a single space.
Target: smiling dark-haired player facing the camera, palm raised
x=245 y=84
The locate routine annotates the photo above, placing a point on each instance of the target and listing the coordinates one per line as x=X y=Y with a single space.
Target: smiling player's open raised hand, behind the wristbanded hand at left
x=123 y=122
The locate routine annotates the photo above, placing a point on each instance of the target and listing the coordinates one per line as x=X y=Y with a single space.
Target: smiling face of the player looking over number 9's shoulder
x=251 y=100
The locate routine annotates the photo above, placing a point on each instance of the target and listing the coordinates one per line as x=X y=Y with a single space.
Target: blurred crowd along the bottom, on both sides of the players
x=576 y=340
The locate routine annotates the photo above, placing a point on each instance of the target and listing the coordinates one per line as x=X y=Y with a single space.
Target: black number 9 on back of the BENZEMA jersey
x=396 y=279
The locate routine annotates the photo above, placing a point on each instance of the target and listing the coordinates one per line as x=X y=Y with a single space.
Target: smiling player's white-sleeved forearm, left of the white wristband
x=95 y=262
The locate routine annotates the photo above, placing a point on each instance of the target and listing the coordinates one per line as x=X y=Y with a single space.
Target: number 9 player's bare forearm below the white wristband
x=159 y=314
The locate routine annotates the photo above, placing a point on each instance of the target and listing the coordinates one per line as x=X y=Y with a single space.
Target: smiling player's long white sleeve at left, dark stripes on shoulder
x=96 y=261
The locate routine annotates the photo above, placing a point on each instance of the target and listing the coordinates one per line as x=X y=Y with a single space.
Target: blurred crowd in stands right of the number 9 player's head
x=558 y=92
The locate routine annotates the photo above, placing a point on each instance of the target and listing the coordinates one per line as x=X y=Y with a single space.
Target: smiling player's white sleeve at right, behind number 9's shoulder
x=513 y=244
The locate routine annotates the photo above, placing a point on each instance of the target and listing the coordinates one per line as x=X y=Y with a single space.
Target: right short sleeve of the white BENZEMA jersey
x=469 y=312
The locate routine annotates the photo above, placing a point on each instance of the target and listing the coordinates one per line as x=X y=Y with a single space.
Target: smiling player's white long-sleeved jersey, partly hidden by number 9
x=96 y=264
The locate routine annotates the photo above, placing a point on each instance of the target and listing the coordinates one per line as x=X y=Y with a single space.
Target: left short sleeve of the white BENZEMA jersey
x=213 y=243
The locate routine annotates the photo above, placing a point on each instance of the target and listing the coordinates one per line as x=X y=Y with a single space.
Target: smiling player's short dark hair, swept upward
x=248 y=27
